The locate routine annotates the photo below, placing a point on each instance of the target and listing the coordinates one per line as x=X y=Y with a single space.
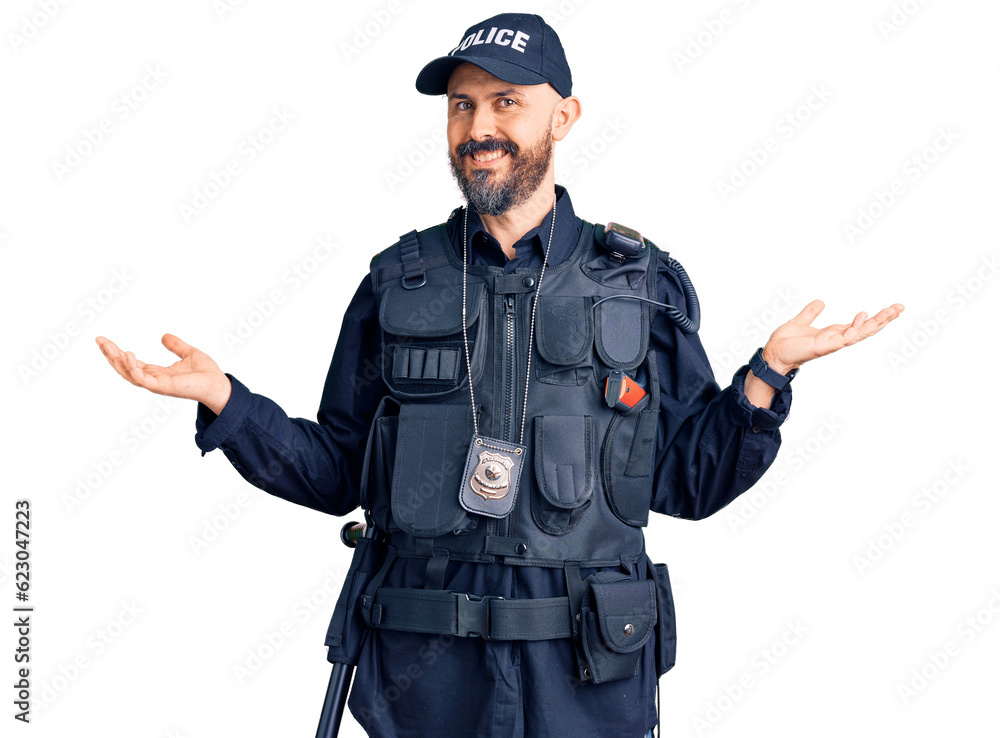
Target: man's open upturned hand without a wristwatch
x=195 y=377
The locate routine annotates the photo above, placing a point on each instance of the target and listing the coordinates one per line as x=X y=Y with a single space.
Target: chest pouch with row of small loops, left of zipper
x=422 y=346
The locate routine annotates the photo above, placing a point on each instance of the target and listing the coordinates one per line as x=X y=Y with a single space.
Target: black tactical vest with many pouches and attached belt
x=586 y=482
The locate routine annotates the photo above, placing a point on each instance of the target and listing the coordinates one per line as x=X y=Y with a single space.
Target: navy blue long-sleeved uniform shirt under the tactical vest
x=712 y=445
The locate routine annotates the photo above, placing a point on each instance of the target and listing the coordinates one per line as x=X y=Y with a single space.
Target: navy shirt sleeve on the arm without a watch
x=315 y=464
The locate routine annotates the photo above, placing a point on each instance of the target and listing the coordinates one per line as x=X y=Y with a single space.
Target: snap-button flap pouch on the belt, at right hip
x=616 y=620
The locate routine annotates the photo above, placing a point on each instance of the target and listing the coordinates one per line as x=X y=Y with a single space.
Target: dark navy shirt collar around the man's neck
x=484 y=249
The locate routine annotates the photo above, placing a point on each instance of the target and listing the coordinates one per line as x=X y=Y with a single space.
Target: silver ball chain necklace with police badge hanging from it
x=493 y=466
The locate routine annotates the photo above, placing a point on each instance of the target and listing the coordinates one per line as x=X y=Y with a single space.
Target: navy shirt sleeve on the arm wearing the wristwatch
x=712 y=444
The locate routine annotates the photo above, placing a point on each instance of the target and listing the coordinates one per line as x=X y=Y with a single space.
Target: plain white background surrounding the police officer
x=657 y=136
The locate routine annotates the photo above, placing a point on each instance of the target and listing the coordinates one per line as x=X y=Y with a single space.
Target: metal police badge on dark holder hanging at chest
x=492 y=471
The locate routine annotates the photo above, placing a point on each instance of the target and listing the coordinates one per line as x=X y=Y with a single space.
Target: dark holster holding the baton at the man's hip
x=343 y=636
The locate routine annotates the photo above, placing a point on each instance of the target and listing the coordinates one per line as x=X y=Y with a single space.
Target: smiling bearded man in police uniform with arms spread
x=543 y=387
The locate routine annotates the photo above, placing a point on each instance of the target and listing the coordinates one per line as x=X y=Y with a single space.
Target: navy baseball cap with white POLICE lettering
x=515 y=47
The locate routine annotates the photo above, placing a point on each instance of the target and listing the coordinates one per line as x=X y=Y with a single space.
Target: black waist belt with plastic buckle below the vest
x=462 y=614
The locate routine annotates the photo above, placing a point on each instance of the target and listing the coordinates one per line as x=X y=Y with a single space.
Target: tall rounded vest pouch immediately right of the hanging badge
x=564 y=471
